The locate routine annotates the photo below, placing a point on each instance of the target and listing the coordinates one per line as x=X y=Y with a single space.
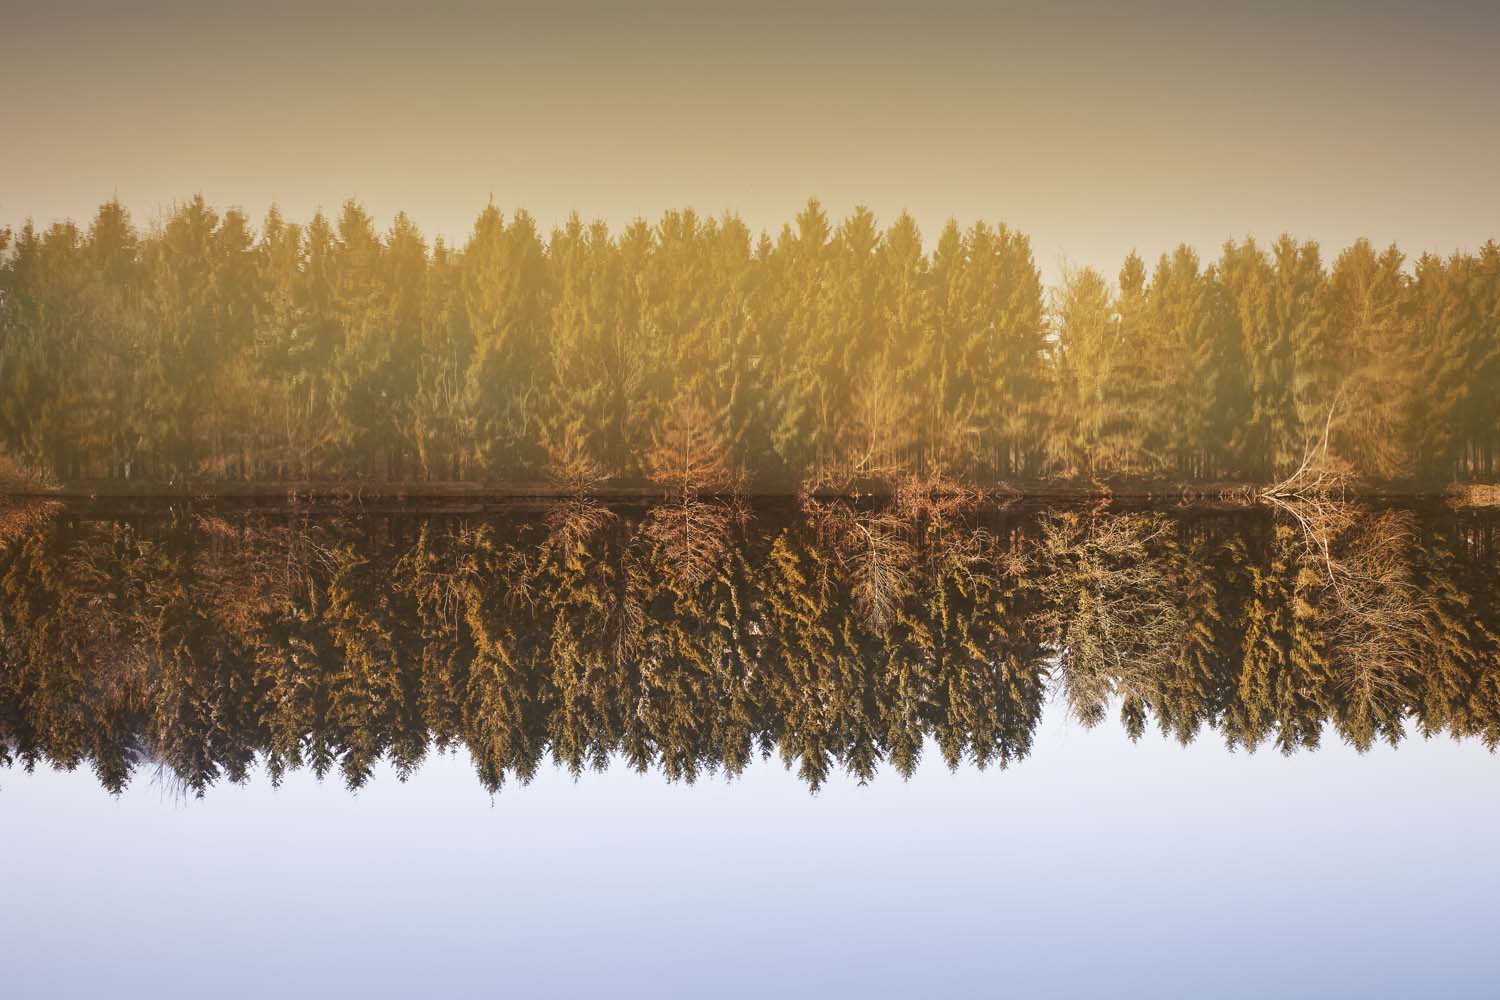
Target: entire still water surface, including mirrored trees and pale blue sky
x=572 y=749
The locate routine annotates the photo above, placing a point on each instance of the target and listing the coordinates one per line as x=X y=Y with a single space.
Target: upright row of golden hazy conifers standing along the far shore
x=832 y=358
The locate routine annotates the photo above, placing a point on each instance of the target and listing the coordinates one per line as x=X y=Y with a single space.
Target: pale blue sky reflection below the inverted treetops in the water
x=1096 y=867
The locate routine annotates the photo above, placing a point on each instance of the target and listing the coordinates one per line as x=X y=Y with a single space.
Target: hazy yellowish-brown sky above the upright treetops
x=1094 y=128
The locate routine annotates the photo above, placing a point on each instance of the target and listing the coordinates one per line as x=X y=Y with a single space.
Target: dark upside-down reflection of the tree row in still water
x=697 y=635
